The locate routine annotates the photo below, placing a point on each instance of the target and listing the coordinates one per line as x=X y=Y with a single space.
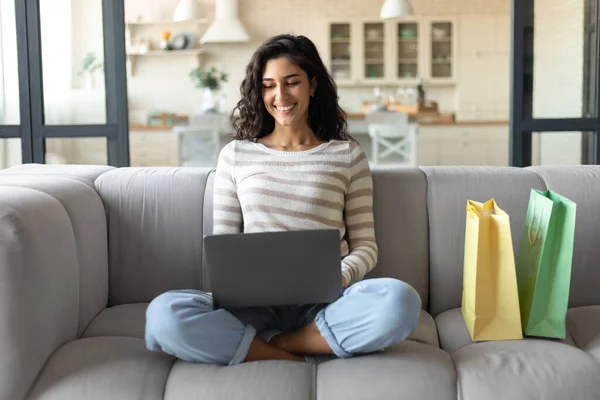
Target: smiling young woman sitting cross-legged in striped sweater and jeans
x=292 y=166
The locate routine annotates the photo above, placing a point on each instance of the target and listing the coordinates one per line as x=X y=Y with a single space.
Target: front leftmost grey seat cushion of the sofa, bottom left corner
x=103 y=368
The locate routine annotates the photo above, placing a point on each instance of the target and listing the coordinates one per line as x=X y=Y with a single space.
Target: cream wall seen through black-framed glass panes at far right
x=558 y=76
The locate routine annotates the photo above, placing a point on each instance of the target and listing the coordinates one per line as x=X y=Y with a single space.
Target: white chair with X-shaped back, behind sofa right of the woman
x=392 y=133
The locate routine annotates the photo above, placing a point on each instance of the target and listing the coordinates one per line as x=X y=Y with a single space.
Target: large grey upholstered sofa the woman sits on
x=83 y=250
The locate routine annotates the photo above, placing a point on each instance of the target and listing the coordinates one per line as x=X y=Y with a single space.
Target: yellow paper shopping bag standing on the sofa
x=490 y=302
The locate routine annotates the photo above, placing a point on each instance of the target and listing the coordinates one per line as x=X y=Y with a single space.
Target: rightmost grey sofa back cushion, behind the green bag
x=580 y=184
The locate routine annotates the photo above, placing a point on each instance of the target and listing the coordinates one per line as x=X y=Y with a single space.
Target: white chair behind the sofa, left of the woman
x=200 y=140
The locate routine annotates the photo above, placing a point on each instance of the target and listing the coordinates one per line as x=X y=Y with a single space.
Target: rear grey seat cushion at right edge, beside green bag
x=584 y=325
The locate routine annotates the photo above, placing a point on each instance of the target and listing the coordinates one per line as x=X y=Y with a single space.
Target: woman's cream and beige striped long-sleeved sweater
x=258 y=189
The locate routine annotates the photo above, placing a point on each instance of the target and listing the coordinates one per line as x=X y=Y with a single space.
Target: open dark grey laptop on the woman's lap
x=274 y=268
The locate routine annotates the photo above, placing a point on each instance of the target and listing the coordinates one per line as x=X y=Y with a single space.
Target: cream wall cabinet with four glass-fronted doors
x=375 y=52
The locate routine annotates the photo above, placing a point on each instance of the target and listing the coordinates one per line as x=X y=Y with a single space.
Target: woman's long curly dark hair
x=325 y=117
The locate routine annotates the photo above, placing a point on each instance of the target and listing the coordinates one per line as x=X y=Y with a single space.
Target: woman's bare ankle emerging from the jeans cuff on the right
x=306 y=340
